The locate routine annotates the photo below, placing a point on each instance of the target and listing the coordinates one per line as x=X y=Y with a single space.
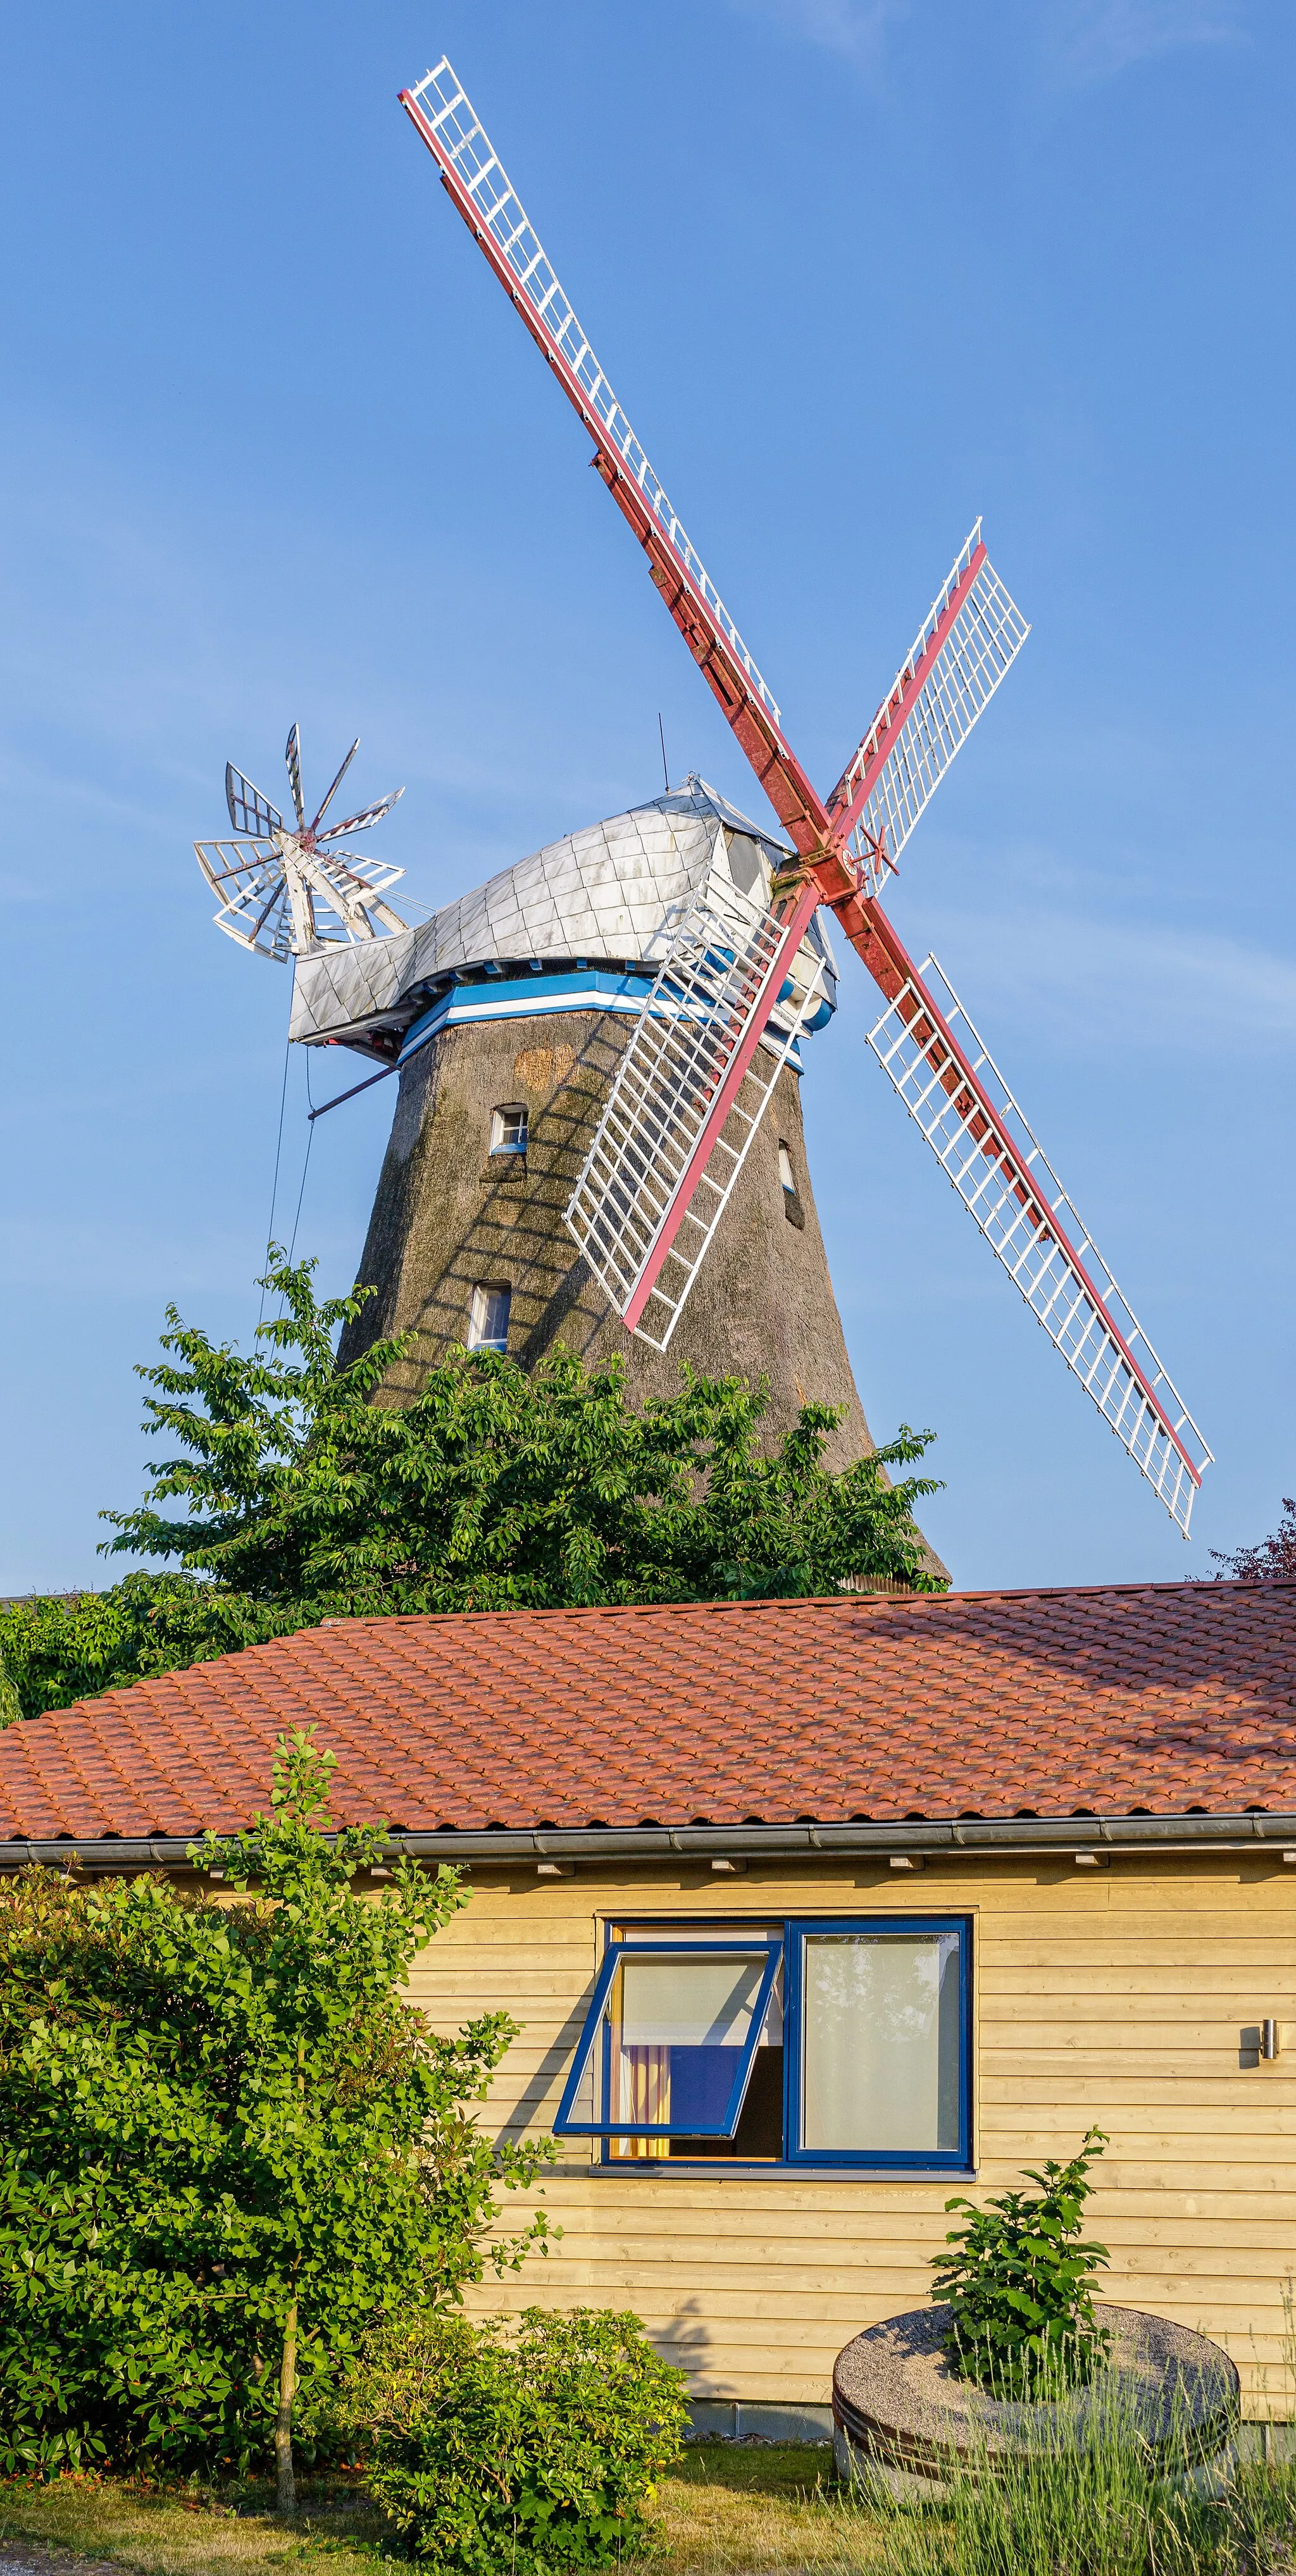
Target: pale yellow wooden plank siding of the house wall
x=1112 y=1998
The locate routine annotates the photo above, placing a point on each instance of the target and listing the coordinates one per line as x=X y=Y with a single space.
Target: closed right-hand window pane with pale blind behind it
x=880 y=2044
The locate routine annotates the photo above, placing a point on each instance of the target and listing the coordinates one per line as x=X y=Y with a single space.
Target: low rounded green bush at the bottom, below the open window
x=517 y=2448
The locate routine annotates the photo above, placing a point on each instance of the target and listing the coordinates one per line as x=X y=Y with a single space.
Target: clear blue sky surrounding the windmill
x=859 y=269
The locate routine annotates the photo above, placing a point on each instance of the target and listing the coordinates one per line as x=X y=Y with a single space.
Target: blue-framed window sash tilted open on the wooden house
x=671 y=2039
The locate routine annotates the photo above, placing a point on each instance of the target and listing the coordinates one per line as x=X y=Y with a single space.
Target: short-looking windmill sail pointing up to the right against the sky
x=962 y=650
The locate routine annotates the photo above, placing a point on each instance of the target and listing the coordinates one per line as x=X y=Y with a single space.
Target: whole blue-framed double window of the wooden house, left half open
x=831 y=2044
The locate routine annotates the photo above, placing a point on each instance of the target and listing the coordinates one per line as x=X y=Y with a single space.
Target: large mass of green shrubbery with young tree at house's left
x=218 y=2119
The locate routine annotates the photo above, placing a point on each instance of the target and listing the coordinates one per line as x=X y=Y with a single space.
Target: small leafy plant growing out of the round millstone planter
x=1022 y=2284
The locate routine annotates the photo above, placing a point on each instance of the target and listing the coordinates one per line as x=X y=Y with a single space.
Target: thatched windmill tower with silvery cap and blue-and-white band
x=506 y=1016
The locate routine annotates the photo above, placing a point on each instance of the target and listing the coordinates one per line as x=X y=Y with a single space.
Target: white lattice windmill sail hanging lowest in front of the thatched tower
x=689 y=1096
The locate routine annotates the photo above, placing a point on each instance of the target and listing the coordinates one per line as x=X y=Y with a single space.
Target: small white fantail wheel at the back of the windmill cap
x=287 y=893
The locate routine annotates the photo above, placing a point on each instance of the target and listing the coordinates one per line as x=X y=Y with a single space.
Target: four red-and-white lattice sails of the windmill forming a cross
x=694 y=1083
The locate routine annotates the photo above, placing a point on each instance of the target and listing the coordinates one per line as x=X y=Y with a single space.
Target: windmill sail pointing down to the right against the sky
x=986 y=1148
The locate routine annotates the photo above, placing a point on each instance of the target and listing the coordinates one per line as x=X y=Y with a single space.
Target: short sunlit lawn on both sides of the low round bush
x=725 y=2510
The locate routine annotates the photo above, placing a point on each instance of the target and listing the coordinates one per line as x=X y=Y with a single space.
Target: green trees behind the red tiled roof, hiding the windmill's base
x=298 y=1493
